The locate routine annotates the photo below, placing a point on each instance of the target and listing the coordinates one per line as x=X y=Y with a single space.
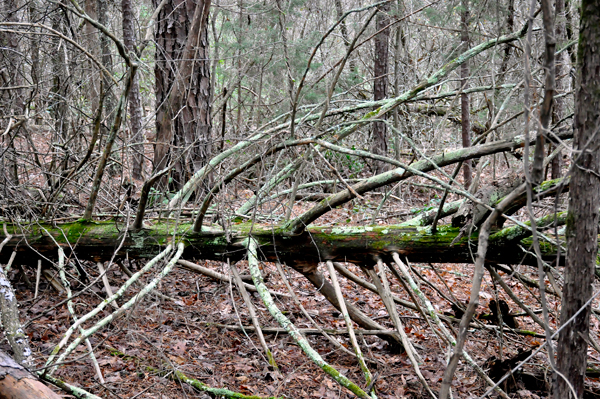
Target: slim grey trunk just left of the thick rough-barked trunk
x=135 y=102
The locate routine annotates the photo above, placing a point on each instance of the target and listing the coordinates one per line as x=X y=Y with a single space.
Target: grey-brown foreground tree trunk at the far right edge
x=582 y=224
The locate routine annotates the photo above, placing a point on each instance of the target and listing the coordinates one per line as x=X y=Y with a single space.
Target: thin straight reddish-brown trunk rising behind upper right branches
x=464 y=97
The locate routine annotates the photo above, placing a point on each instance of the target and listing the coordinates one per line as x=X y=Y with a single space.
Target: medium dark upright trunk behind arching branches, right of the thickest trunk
x=380 y=83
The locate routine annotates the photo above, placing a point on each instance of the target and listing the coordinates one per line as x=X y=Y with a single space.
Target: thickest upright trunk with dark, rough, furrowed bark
x=183 y=89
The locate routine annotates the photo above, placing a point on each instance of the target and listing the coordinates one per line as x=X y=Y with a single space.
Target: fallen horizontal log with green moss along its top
x=358 y=244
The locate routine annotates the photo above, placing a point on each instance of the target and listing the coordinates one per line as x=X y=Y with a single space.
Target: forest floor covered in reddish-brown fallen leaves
x=196 y=332
